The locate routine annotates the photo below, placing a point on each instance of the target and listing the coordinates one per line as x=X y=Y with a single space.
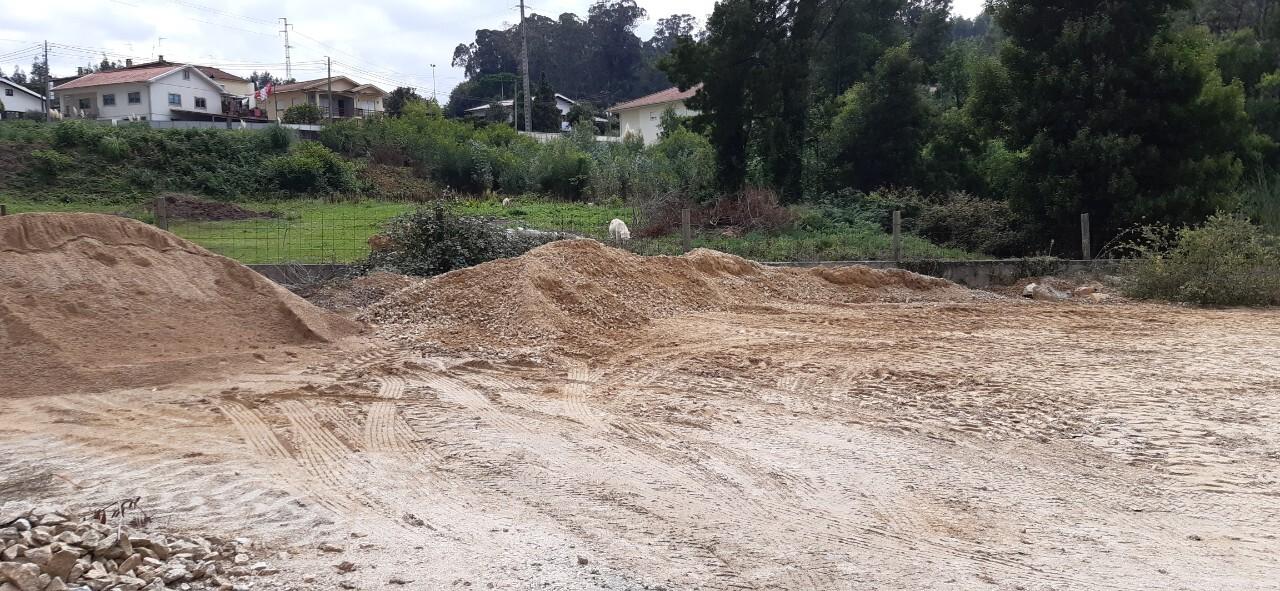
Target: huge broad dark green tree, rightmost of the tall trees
x=1118 y=114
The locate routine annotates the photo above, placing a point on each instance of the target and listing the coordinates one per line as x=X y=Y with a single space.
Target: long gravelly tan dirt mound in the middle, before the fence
x=580 y=297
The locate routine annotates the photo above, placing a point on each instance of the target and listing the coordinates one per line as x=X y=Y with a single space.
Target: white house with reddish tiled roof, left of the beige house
x=161 y=94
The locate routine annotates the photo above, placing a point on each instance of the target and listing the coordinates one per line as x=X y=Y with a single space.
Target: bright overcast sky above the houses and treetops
x=387 y=43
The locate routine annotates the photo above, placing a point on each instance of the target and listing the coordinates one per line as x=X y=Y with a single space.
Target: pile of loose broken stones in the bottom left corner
x=49 y=551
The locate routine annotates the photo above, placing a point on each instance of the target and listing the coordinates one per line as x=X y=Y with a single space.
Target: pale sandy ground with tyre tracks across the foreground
x=881 y=447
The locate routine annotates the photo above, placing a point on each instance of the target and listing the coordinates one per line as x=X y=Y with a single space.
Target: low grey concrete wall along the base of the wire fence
x=975 y=274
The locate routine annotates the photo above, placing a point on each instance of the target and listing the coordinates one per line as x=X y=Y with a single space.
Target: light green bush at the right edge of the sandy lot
x=1228 y=262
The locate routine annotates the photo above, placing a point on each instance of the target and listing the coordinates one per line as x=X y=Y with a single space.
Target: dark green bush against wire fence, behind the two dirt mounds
x=432 y=242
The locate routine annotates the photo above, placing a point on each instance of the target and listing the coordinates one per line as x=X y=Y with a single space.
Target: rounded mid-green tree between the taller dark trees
x=881 y=125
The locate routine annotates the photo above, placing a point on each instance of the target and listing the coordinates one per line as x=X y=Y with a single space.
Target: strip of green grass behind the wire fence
x=316 y=231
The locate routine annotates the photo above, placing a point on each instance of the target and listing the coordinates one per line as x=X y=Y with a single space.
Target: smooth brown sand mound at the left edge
x=94 y=301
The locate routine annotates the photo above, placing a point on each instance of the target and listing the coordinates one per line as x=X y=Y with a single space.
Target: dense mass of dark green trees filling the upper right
x=1039 y=111
